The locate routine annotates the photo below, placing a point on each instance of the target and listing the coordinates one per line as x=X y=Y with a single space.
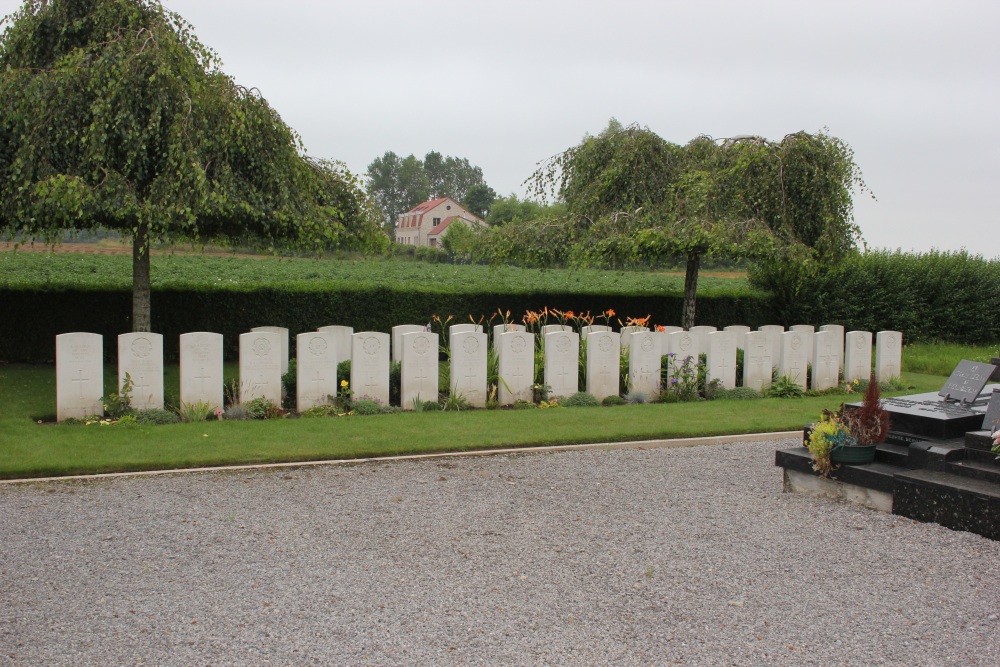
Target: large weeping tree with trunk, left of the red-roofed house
x=113 y=115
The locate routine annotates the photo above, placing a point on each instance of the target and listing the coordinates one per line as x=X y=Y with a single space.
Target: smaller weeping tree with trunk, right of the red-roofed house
x=632 y=195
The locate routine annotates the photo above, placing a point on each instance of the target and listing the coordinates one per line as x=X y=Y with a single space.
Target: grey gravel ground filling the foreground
x=620 y=557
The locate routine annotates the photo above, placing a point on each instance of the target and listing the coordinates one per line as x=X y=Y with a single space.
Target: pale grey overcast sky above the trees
x=913 y=86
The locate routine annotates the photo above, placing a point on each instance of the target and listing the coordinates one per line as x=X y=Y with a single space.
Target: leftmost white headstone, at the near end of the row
x=79 y=375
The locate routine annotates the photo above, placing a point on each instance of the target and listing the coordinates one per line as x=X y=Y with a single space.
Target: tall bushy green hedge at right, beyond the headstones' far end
x=943 y=296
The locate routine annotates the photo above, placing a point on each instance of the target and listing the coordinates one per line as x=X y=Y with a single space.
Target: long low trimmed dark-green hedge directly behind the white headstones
x=34 y=317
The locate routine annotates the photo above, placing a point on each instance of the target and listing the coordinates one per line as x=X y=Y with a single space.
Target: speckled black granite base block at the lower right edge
x=954 y=501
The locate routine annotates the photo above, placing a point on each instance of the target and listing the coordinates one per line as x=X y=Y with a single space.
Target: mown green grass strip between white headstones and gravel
x=28 y=449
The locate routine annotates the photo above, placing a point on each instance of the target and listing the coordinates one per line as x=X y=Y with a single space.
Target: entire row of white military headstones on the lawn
x=263 y=359
